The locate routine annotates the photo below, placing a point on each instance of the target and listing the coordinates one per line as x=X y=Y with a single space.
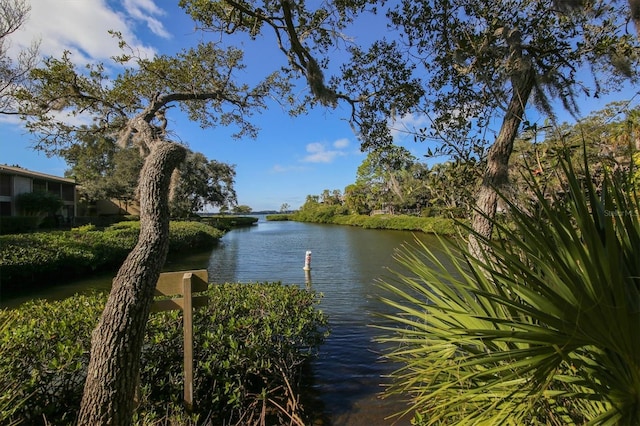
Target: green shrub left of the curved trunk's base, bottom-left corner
x=45 y=356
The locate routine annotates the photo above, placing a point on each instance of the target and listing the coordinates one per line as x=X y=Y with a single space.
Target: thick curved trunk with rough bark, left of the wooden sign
x=116 y=342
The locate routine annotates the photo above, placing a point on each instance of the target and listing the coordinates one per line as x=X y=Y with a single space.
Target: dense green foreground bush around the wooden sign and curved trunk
x=250 y=343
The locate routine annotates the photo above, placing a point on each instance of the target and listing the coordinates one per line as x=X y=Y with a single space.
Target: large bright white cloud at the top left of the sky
x=82 y=26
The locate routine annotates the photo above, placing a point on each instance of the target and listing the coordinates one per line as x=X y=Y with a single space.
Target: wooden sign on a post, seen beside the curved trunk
x=184 y=284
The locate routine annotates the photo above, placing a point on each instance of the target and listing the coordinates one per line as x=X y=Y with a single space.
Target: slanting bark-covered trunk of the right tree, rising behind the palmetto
x=496 y=176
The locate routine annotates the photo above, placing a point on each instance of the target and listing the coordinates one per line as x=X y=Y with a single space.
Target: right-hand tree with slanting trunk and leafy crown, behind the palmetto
x=490 y=59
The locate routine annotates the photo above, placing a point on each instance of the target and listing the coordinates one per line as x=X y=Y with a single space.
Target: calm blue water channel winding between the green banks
x=346 y=262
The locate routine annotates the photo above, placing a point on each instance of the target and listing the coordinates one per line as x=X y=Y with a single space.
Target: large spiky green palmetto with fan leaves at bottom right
x=544 y=328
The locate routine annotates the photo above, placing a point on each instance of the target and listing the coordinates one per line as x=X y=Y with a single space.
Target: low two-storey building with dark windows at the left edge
x=16 y=180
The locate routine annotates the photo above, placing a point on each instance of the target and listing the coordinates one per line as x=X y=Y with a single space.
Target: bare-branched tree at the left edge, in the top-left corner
x=13 y=14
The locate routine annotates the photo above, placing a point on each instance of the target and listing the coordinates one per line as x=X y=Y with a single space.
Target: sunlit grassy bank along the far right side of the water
x=434 y=225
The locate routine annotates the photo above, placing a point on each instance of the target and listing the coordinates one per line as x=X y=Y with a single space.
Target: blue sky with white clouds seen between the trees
x=291 y=157
